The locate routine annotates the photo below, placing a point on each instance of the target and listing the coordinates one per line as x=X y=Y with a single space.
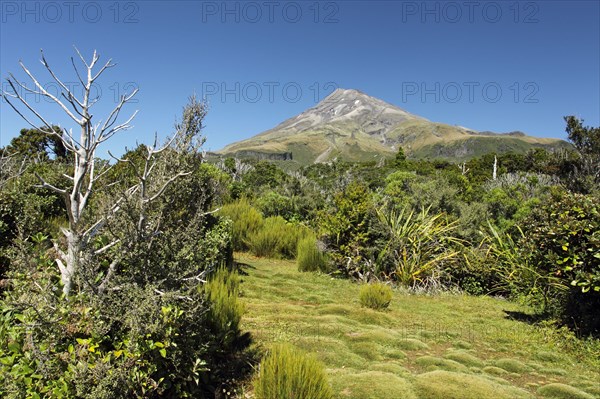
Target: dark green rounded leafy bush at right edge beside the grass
x=562 y=241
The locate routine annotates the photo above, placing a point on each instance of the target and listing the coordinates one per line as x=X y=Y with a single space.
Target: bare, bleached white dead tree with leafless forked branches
x=84 y=146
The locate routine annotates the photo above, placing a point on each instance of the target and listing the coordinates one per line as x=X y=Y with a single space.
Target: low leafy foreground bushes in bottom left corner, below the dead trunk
x=132 y=342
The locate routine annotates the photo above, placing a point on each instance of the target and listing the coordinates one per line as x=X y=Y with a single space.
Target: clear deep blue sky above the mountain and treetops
x=487 y=65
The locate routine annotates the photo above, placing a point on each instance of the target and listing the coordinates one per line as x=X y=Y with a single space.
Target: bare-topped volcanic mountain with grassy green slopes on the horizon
x=351 y=125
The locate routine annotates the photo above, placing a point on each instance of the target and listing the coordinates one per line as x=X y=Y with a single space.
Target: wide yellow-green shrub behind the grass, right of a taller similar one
x=277 y=238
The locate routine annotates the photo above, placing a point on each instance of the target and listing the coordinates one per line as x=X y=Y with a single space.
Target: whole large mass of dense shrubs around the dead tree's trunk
x=138 y=321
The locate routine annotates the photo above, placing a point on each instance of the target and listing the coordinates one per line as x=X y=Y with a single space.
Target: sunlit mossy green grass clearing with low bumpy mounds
x=423 y=347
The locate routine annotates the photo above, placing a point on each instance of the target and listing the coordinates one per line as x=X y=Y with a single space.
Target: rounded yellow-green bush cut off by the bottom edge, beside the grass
x=288 y=373
